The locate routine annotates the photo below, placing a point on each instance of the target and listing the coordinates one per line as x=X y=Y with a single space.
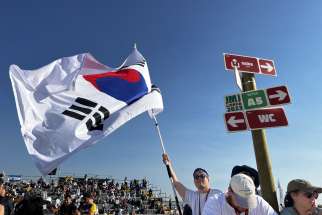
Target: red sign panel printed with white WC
x=266 y=118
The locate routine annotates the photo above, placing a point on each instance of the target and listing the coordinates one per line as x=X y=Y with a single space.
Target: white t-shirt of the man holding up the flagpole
x=197 y=199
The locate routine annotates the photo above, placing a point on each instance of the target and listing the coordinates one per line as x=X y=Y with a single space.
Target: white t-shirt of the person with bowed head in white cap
x=218 y=205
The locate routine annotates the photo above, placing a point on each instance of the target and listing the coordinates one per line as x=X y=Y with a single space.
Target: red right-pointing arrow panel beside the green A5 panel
x=278 y=95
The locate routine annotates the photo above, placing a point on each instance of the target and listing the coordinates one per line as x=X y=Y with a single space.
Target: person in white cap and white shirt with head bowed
x=240 y=198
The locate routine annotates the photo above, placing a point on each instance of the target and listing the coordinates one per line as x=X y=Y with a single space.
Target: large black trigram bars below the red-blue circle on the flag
x=85 y=108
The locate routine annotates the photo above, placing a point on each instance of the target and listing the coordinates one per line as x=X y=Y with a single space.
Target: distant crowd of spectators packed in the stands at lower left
x=81 y=196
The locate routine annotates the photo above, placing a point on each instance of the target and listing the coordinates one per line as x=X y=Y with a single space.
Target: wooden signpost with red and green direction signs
x=248 y=110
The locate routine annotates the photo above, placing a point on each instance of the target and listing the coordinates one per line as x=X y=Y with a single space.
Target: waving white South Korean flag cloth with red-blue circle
x=76 y=101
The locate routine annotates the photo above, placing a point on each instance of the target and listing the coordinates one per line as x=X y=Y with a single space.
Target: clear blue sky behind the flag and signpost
x=183 y=42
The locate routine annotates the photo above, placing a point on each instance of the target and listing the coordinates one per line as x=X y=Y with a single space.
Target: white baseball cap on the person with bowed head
x=243 y=190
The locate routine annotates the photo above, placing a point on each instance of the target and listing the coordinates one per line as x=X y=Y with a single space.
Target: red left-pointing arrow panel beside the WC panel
x=235 y=121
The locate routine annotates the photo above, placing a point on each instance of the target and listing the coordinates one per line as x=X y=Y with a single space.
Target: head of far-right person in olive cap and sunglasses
x=301 y=194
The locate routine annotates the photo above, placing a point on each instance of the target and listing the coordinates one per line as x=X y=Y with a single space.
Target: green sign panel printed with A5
x=254 y=99
